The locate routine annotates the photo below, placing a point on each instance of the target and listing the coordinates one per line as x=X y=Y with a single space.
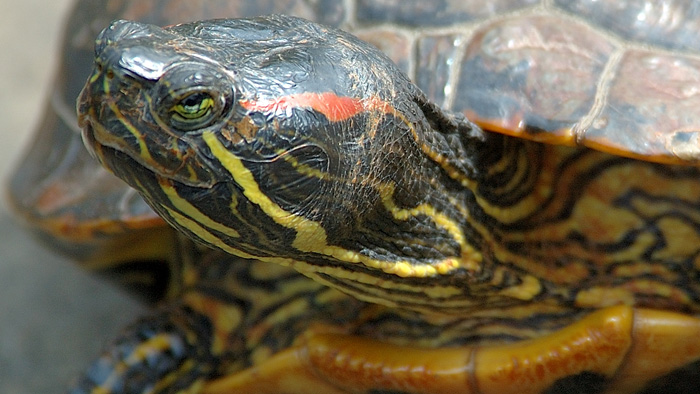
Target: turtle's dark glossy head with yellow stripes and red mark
x=283 y=140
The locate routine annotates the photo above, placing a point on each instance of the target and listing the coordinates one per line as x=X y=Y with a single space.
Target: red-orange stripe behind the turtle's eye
x=334 y=107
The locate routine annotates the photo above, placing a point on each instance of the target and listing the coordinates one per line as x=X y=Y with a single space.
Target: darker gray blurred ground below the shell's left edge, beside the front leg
x=54 y=318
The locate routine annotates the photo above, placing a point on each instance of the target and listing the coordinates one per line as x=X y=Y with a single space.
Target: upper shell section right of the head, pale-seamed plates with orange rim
x=617 y=76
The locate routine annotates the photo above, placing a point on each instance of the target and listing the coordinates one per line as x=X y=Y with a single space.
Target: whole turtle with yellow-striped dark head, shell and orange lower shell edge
x=461 y=213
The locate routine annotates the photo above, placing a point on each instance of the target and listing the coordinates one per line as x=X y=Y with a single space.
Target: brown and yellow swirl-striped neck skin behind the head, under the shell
x=556 y=230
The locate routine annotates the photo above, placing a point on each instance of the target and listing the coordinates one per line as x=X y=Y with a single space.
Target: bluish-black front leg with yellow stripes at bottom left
x=165 y=352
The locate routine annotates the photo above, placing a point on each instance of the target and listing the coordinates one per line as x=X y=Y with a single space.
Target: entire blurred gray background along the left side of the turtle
x=54 y=318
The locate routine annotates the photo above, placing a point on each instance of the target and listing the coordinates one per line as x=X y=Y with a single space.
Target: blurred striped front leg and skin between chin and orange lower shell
x=235 y=313
